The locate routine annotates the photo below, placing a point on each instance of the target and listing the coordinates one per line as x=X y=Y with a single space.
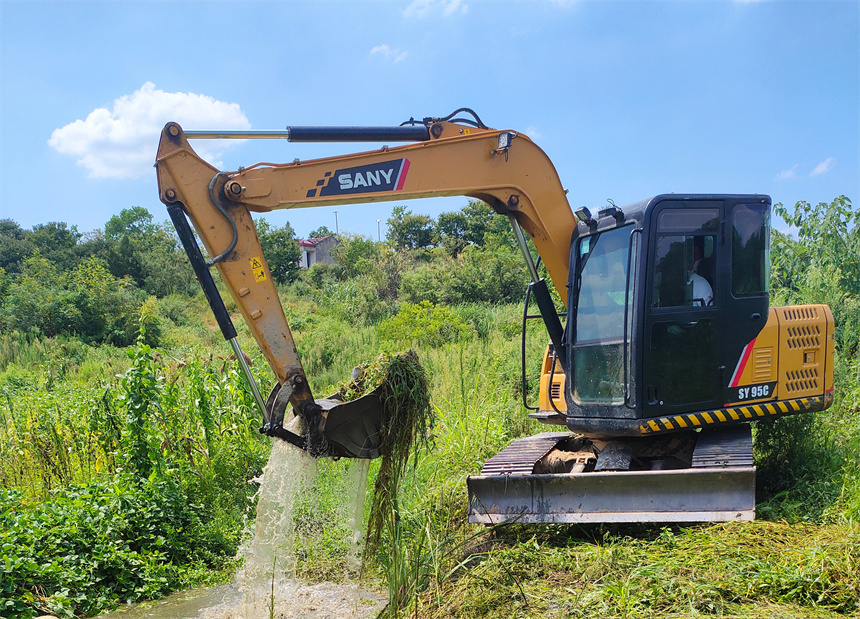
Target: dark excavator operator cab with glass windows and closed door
x=665 y=294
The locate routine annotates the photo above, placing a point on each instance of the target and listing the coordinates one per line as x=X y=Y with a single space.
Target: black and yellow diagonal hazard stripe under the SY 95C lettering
x=734 y=414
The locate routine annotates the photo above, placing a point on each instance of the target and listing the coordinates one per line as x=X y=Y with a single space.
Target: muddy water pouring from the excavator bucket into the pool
x=324 y=514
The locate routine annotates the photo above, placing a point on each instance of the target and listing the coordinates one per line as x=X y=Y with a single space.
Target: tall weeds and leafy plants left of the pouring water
x=123 y=474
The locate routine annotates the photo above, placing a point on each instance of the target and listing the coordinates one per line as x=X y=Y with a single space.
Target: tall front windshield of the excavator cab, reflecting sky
x=598 y=349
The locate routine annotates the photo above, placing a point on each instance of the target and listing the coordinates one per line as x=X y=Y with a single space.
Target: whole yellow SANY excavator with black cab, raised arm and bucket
x=667 y=350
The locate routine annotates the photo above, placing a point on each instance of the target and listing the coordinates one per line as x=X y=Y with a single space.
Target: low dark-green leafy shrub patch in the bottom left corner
x=89 y=548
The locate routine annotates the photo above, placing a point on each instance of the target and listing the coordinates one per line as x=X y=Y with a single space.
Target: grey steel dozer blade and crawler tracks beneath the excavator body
x=717 y=484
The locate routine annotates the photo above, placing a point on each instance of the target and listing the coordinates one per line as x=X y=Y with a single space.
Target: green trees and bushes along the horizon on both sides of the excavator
x=100 y=285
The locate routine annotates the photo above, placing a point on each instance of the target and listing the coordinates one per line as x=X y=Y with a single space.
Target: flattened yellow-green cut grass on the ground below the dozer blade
x=733 y=569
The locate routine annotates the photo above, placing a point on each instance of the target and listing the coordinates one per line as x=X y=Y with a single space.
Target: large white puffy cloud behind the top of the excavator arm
x=121 y=142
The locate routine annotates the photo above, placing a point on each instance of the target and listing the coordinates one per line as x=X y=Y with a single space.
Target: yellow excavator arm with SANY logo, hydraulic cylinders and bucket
x=503 y=168
